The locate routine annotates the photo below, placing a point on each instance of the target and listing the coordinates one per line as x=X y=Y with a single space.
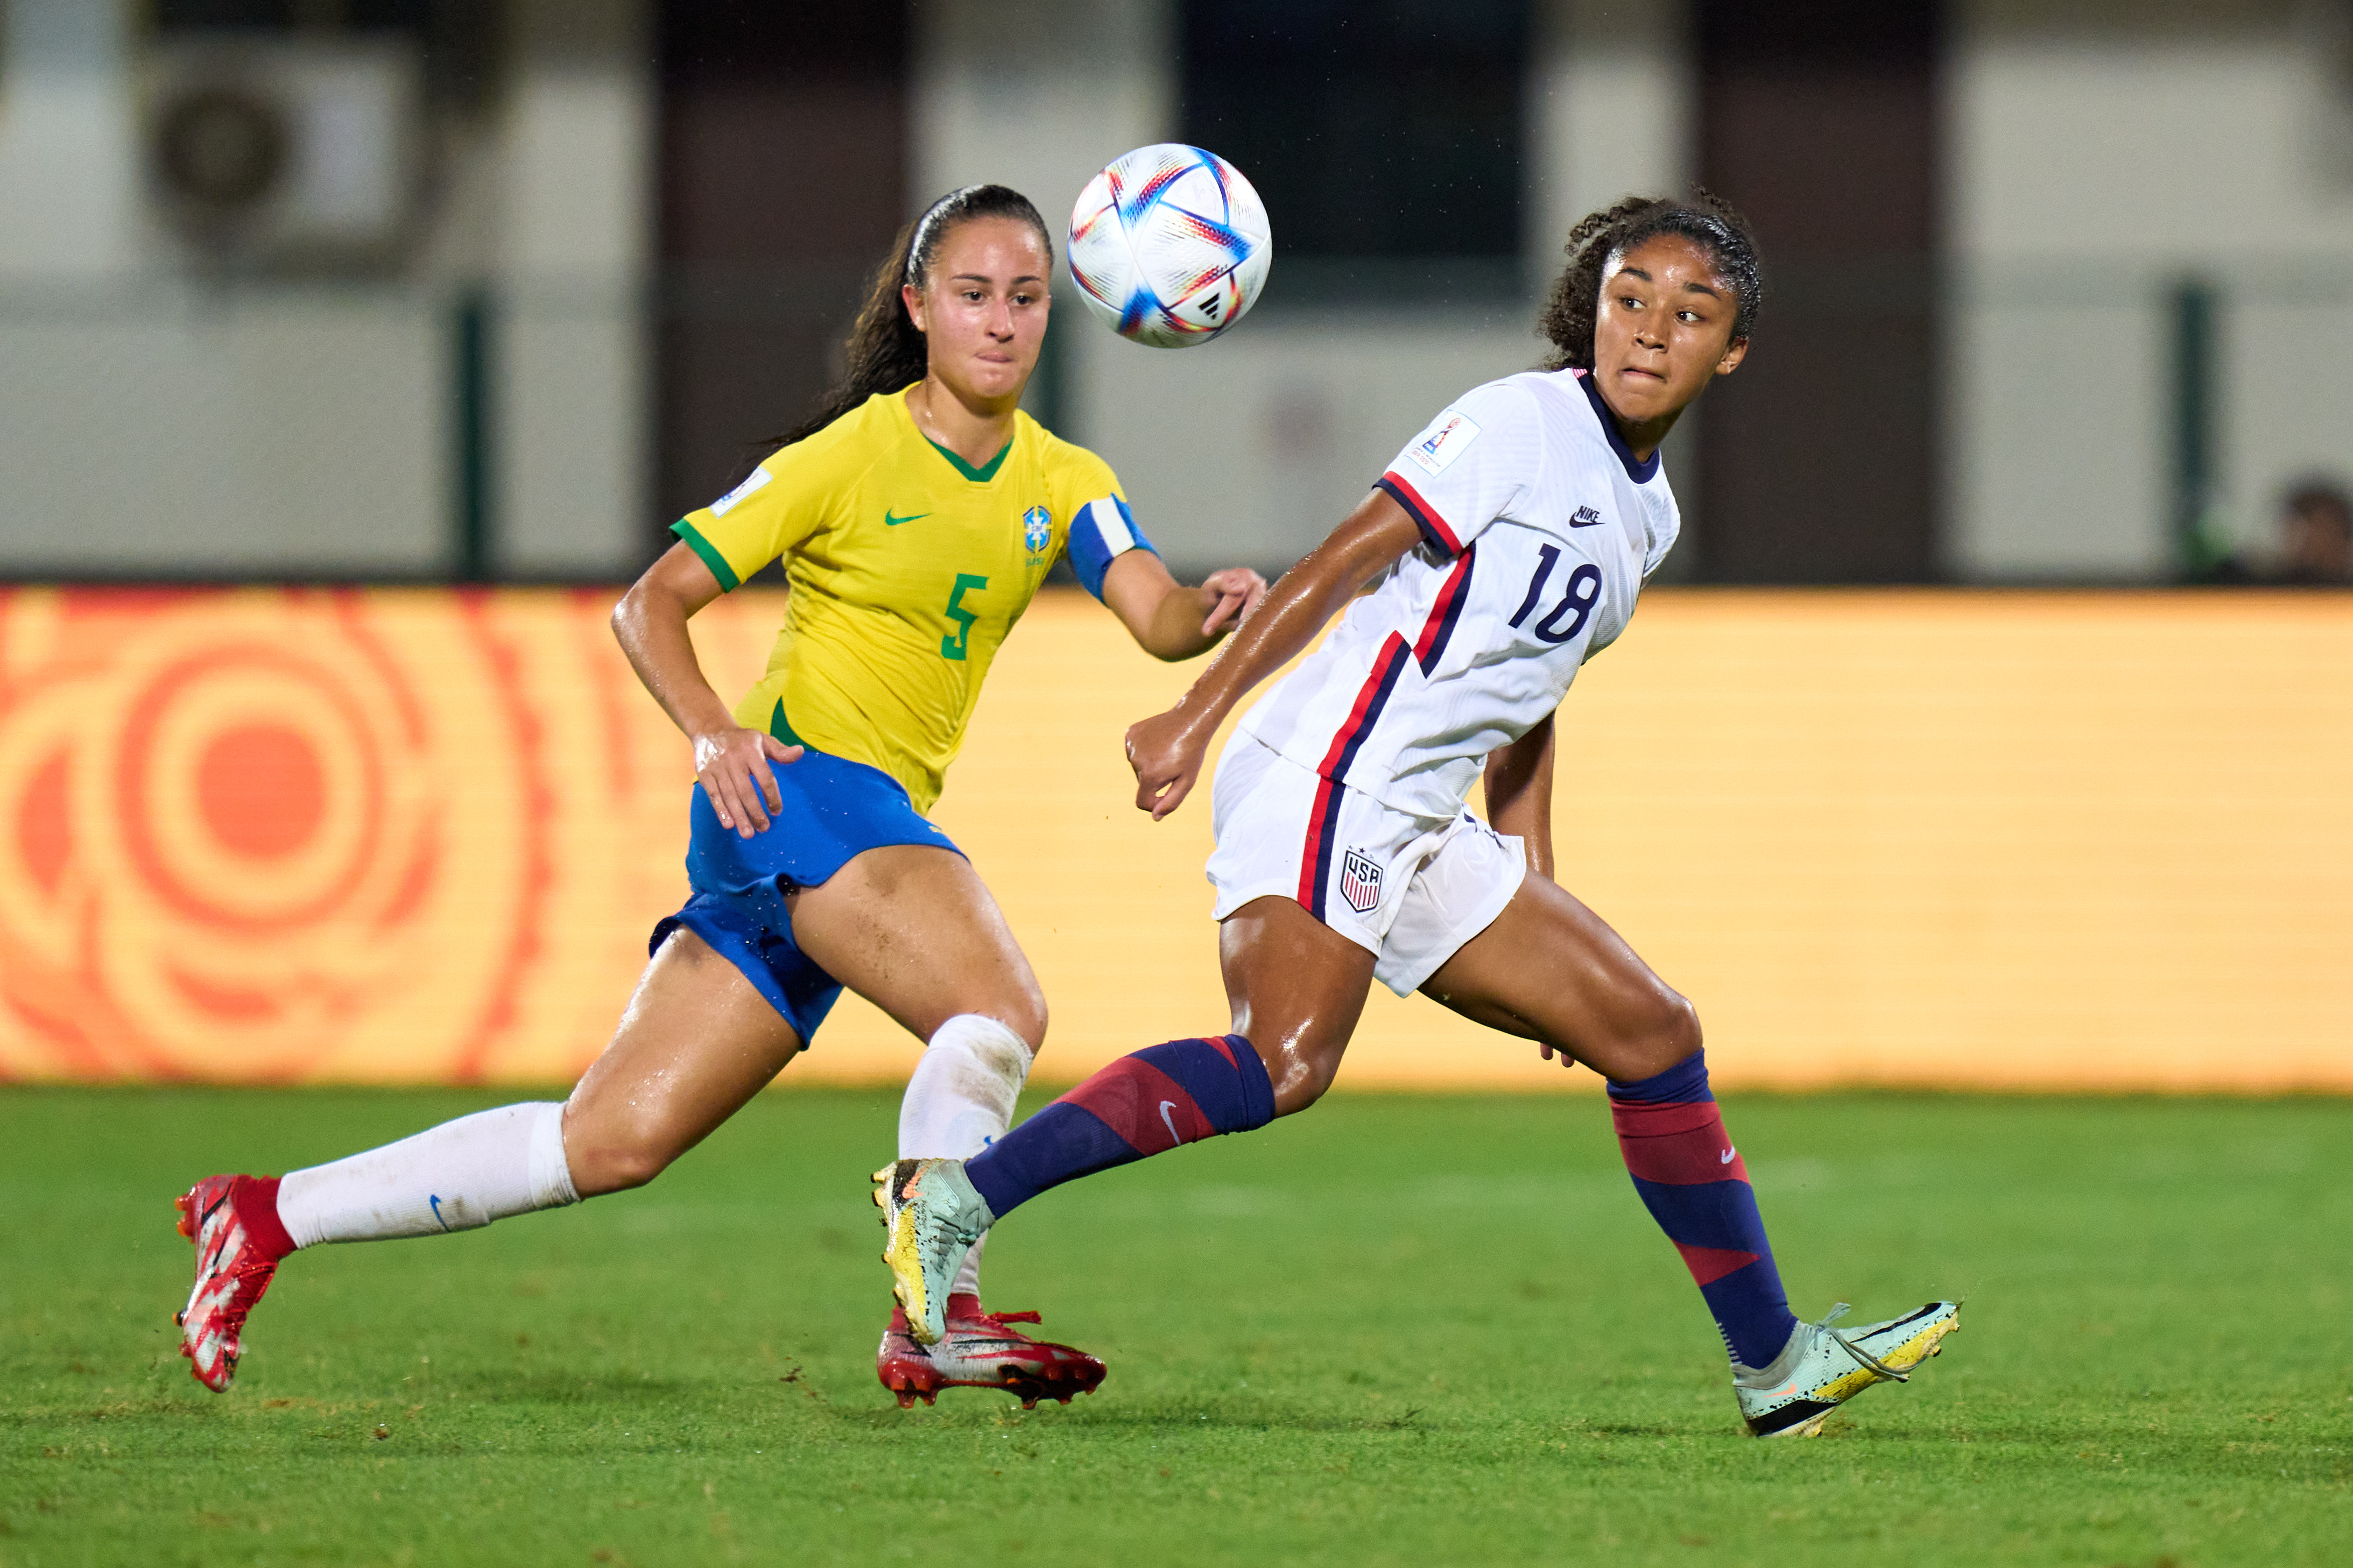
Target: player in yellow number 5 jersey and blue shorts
x=916 y=518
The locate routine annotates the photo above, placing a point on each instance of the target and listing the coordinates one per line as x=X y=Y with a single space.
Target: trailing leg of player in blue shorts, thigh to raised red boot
x=693 y=1045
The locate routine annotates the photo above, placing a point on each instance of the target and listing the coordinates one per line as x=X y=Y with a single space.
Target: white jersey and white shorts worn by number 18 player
x=1535 y=528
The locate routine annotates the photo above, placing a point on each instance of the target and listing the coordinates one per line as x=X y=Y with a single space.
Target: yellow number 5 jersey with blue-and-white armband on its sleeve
x=907 y=570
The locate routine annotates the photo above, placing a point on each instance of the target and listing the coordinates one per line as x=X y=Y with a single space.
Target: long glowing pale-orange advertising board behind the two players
x=1881 y=838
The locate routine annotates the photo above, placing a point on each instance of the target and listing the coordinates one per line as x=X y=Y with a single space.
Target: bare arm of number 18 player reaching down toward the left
x=1168 y=749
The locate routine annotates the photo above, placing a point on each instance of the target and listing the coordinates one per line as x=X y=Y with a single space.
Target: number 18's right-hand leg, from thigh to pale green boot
x=1554 y=972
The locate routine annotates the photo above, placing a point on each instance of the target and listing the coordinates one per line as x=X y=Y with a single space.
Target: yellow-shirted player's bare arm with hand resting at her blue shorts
x=731 y=763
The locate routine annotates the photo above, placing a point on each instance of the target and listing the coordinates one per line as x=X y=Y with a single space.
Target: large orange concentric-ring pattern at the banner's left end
x=260 y=833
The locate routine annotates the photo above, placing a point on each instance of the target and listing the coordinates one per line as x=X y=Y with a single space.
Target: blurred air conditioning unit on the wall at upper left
x=286 y=154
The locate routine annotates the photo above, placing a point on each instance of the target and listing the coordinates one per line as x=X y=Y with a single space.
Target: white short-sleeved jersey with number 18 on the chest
x=1538 y=535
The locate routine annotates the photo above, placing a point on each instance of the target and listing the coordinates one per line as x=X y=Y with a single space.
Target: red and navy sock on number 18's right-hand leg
x=1698 y=1191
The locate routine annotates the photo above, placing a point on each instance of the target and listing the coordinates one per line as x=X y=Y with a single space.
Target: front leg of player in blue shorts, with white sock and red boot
x=916 y=932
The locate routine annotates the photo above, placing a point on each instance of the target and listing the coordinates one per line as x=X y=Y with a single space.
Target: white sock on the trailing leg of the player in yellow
x=451 y=1177
